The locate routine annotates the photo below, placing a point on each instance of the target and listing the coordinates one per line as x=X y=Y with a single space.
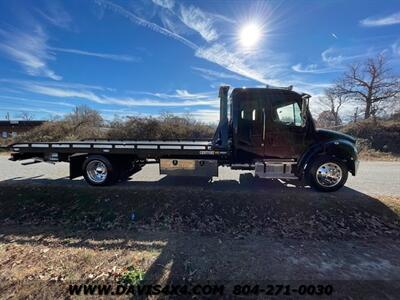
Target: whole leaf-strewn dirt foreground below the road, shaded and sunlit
x=58 y=235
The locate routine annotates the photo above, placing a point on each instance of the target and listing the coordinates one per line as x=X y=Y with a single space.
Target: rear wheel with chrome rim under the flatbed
x=99 y=171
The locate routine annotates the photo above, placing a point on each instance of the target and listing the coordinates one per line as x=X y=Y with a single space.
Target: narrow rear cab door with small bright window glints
x=250 y=123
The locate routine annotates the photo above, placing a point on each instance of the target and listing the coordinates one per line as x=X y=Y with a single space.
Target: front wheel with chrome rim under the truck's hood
x=327 y=174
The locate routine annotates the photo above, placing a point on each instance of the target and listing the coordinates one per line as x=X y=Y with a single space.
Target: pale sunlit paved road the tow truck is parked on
x=374 y=178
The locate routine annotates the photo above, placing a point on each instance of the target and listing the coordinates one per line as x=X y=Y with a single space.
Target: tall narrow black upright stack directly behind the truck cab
x=221 y=135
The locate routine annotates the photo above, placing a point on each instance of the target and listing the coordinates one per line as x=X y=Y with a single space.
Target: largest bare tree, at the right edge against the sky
x=370 y=83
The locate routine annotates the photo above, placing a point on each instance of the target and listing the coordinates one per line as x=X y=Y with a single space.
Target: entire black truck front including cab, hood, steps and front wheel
x=274 y=129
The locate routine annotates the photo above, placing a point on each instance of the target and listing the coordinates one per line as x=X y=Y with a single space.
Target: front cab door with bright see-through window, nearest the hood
x=285 y=133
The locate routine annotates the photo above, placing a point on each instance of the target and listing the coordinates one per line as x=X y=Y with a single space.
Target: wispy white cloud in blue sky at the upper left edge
x=30 y=50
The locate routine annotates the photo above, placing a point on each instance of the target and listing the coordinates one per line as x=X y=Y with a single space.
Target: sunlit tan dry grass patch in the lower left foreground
x=33 y=256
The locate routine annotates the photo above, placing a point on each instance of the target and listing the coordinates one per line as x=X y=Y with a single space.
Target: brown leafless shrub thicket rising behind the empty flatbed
x=86 y=123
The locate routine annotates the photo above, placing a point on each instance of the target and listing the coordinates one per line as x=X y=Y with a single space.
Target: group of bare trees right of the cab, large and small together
x=370 y=86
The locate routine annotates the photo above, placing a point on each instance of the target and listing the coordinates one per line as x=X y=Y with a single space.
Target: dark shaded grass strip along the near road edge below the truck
x=229 y=212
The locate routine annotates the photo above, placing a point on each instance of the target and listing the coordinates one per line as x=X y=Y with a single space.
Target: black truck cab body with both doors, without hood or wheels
x=269 y=124
